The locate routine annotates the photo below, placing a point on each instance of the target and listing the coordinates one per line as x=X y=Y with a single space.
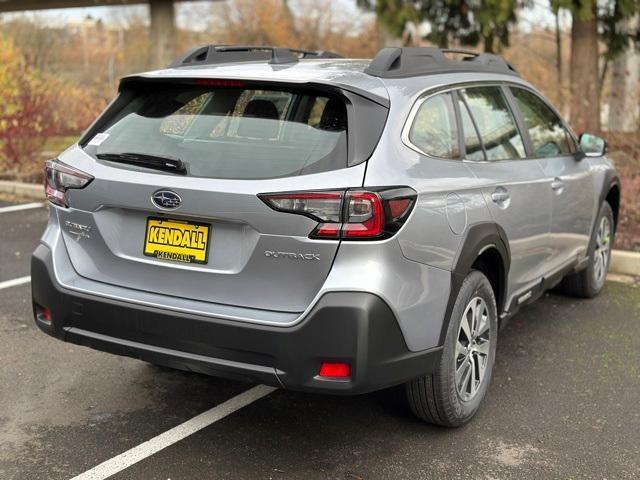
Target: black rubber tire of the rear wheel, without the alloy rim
x=436 y=398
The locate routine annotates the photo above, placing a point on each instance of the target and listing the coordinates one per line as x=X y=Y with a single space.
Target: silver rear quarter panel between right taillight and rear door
x=449 y=197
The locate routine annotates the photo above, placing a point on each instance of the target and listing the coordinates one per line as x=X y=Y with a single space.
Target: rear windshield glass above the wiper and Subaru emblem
x=239 y=133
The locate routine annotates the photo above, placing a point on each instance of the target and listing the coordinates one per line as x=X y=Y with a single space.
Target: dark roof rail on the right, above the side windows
x=408 y=62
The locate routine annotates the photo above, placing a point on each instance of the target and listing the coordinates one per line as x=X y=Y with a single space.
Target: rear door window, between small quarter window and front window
x=495 y=122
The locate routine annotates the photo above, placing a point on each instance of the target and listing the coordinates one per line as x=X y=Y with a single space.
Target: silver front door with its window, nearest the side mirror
x=568 y=180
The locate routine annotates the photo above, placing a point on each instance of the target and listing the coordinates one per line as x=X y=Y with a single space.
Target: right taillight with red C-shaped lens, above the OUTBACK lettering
x=349 y=215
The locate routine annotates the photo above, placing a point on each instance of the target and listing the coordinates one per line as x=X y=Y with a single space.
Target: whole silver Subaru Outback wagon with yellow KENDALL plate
x=323 y=224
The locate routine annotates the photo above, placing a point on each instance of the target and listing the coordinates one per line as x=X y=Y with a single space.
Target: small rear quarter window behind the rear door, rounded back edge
x=434 y=129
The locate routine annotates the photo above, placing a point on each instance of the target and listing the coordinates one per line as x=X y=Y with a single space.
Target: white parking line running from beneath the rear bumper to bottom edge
x=148 y=448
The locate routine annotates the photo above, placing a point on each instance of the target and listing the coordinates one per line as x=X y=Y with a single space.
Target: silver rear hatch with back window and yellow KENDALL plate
x=192 y=225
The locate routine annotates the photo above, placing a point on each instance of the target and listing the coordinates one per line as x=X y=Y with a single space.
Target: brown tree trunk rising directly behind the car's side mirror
x=585 y=97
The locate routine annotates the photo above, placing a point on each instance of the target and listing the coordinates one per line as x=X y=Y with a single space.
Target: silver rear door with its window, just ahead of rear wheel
x=513 y=185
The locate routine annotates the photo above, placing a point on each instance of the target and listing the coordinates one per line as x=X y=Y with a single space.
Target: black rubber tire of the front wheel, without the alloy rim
x=585 y=284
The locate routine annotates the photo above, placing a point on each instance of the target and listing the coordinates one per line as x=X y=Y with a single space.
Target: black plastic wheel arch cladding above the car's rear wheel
x=484 y=244
